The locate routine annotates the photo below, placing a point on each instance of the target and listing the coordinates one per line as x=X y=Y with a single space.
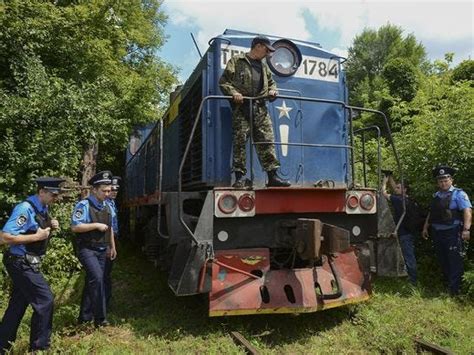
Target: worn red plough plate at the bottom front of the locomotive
x=299 y=290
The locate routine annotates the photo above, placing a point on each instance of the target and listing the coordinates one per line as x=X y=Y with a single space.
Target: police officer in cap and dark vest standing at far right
x=450 y=220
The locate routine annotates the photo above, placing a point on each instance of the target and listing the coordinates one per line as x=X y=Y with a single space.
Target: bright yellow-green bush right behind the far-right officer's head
x=442 y=131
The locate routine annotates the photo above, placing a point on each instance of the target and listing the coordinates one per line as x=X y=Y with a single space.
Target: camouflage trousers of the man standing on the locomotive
x=262 y=132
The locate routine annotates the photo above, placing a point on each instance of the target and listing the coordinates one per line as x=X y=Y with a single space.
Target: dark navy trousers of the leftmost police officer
x=29 y=288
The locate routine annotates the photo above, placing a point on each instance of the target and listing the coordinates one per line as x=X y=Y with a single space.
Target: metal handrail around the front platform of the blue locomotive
x=302 y=98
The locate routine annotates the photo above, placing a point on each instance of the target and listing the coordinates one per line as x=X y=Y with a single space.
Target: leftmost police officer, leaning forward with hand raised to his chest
x=27 y=233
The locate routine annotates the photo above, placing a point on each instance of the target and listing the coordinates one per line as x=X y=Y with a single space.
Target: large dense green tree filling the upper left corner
x=75 y=74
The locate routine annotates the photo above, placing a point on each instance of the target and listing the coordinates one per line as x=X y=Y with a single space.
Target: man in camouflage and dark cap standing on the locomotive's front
x=249 y=75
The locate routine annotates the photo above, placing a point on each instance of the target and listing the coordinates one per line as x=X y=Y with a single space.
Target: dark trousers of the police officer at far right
x=448 y=249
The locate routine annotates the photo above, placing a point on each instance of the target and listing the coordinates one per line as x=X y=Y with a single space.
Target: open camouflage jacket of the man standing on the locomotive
x=237 y=77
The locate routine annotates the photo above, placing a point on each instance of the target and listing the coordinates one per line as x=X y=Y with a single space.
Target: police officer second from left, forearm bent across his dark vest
x=92 y=222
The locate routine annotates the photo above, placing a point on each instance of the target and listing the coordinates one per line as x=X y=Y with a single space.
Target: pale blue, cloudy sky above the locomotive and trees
x=444 y=26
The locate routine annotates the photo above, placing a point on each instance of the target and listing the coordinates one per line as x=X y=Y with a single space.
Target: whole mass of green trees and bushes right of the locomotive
x=429 y=107
